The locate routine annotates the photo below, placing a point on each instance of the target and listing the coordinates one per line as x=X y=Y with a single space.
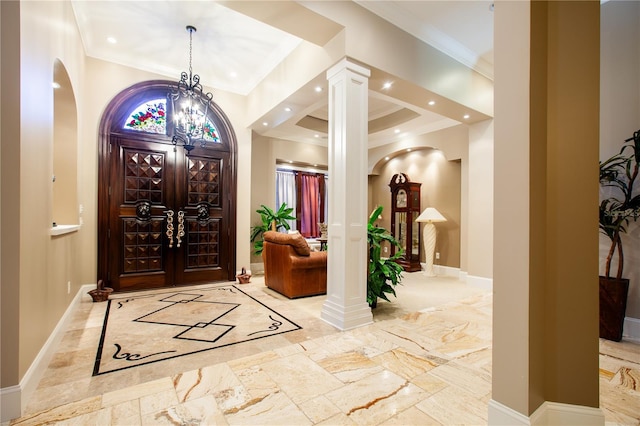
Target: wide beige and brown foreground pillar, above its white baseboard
x=545 y=331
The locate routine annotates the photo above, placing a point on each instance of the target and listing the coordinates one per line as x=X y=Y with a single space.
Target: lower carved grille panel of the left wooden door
x=142 y=245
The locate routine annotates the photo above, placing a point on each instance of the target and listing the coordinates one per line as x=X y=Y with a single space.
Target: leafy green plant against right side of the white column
x=384 y=273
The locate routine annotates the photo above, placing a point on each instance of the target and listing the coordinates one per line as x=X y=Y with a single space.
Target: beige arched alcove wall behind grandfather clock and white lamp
x=440 y=179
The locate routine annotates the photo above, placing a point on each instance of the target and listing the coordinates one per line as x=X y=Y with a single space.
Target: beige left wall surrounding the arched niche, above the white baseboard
x=44 y=261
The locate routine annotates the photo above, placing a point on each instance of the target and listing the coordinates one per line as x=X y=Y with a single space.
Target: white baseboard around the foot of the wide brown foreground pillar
x=549 y=413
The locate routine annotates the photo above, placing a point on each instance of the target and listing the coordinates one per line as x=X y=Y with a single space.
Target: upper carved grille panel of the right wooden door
x=204 y=181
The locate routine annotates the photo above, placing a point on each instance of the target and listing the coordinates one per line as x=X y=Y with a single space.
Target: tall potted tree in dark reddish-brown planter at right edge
x=618 y=175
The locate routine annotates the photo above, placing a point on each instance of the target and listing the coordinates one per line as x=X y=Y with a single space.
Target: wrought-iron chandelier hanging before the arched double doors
x=190 y=106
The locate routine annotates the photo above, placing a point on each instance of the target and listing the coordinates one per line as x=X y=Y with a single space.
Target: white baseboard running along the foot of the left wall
x=15 y=398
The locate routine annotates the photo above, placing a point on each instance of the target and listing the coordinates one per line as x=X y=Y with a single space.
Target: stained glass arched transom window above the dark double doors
x=150 y=117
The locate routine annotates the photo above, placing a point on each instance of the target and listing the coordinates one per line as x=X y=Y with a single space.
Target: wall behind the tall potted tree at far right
x=619 y=118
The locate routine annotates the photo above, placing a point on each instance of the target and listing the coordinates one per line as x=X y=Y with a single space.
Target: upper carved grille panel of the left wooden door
x=143 y=176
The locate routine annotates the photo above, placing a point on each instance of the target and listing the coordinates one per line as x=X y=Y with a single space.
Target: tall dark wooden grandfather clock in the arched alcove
x=405 y=209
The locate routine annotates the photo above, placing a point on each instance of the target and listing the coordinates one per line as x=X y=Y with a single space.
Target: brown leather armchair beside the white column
x=291 y=268
